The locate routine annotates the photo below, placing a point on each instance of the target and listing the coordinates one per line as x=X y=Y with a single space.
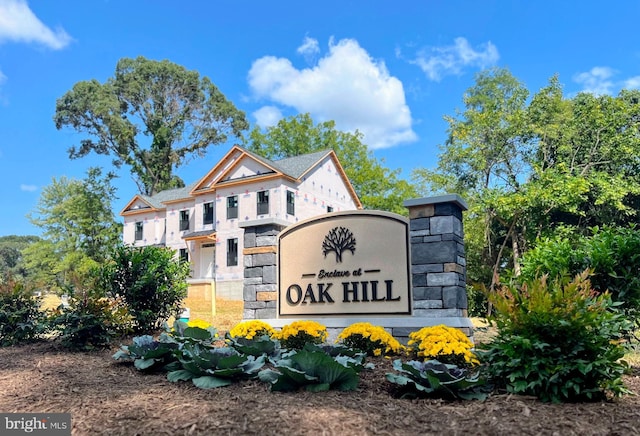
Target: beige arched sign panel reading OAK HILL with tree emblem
x=345 y=263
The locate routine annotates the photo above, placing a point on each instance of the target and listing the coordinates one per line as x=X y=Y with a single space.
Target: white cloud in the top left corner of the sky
x=19 y=23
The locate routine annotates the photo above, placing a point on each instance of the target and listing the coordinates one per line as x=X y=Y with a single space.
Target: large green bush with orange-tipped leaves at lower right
x=559 y=341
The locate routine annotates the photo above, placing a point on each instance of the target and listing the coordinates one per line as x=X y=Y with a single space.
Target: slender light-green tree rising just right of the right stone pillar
x=483 y=159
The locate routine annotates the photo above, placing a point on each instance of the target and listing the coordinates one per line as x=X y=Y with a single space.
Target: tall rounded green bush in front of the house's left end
x=150 y=280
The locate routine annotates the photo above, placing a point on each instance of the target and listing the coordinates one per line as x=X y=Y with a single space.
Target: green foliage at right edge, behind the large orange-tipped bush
x=611 y=254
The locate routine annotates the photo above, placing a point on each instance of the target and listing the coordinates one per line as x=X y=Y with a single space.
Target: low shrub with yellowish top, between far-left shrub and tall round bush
x=90 y=321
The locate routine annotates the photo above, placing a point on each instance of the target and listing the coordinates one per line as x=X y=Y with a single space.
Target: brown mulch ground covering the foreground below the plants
x=107 y=397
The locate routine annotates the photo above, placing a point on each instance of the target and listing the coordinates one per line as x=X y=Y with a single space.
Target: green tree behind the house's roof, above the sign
x=378 y=187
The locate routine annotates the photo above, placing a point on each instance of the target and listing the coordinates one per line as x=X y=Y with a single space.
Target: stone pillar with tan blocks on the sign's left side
x=260 y=289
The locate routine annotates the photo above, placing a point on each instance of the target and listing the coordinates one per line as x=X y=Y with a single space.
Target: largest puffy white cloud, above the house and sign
x=346 y=85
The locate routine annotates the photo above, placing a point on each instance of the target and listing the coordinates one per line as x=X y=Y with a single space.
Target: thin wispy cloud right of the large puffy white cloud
x=437 y=62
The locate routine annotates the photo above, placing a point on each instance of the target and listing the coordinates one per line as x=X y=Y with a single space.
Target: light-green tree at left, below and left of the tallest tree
x=78 y=229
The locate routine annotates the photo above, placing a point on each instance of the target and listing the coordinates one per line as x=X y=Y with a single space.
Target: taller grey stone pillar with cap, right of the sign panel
x=438 y=264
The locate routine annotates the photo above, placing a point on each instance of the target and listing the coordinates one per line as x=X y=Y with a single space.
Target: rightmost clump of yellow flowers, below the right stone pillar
x=444 y=344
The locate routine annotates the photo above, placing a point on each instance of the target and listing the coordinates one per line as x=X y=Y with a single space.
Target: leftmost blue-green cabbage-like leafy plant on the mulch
x=147 y=354
